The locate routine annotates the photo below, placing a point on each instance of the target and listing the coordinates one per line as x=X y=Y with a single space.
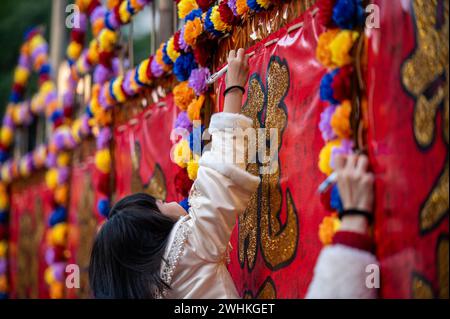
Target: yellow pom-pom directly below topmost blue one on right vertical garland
x=341 y=47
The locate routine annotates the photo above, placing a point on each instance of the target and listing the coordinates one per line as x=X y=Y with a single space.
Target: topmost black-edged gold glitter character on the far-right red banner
x=420 y=71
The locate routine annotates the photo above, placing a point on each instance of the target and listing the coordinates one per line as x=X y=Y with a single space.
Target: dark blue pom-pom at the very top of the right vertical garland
x=347 y=14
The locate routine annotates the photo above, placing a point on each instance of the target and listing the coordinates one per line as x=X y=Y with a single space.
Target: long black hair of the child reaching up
x=128 y=250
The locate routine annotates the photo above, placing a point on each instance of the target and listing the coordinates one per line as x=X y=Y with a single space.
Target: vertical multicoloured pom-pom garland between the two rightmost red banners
x=334 y=51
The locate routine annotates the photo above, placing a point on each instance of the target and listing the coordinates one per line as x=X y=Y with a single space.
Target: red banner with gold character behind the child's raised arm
x=276 y=243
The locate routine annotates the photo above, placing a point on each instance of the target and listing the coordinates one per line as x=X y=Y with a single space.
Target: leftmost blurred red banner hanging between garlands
x=30 y=210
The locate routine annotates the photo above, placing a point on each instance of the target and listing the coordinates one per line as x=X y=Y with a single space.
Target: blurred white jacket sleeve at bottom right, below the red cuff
x=343 y=272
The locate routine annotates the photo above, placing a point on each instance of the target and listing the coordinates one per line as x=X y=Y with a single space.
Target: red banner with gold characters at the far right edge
x=408 y=141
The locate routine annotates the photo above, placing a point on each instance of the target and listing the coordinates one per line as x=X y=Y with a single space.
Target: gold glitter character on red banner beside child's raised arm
x=278 y=242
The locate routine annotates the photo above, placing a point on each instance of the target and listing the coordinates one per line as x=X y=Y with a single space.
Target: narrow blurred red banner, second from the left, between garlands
x=83 y=223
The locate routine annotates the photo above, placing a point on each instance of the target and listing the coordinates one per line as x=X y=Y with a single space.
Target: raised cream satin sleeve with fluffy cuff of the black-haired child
x=223 y=187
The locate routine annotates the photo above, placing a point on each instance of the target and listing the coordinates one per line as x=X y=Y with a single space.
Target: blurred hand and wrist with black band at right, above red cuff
x=355 y=184
